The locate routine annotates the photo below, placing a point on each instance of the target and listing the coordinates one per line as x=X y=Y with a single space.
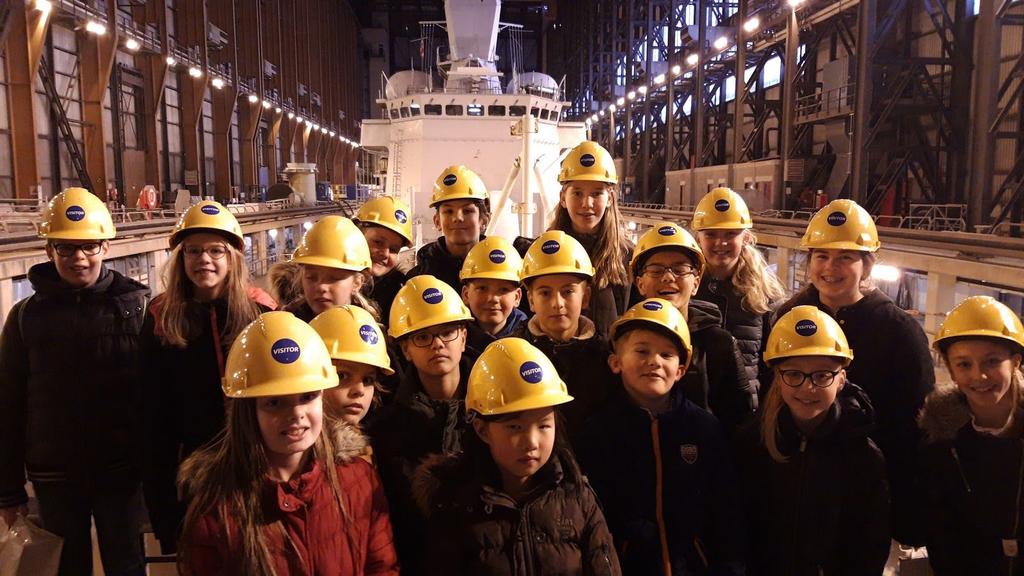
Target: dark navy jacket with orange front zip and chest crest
x=668 y=486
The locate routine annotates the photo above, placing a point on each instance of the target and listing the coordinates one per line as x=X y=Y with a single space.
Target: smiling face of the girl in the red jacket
x=290 y=425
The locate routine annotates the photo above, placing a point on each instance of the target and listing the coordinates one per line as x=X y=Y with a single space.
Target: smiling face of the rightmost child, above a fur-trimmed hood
x=984 y=372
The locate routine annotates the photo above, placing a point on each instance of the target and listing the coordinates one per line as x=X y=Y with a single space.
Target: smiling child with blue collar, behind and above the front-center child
x=491 y=290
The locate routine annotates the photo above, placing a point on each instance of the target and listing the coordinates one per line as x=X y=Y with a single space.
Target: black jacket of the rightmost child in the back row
x=892 y=363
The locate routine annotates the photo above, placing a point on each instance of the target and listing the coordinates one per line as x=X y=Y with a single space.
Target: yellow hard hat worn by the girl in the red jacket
x=278 y=355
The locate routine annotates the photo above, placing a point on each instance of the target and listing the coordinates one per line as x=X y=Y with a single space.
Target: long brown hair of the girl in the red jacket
x=226 y=478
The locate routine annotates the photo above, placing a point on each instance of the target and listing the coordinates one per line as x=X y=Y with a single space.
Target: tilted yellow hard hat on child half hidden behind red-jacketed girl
x=351 y=334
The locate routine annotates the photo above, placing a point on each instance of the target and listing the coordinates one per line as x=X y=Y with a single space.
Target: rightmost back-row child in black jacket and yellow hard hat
x=893 y=364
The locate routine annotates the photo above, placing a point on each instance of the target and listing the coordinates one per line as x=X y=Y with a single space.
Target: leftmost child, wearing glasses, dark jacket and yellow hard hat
x=69 y=366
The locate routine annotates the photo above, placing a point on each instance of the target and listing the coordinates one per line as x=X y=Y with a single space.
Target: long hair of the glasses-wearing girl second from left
x=173 y=319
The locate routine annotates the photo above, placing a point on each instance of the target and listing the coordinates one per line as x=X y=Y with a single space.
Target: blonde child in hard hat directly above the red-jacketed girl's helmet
x=335 y=260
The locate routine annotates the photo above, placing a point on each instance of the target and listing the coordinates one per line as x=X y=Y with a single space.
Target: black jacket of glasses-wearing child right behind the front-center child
x=405 y=433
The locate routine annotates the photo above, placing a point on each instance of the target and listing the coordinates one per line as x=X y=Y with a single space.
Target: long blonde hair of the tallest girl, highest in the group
x=612 y=246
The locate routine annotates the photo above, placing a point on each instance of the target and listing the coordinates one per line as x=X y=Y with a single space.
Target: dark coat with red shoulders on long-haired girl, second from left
x=183 y=404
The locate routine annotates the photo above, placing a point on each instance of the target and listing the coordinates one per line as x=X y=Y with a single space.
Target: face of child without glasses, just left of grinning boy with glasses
x=558 y=300
